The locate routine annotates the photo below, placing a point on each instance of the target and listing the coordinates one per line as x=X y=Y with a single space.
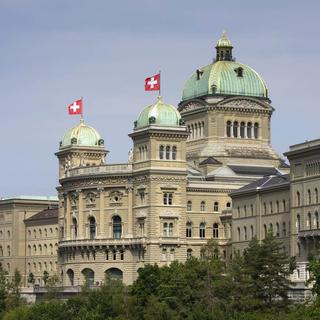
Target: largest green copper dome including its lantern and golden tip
x=225 y=77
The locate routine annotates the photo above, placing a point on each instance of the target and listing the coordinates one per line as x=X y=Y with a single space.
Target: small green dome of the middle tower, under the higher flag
x=160 y=114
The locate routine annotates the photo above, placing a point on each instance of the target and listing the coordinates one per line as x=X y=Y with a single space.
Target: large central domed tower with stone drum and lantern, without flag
x=228 y=113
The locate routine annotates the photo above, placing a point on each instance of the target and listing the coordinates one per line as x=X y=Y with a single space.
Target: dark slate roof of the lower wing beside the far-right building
x=265 y=183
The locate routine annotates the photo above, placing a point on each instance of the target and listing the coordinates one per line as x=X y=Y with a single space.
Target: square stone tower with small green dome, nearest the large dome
x=160 y=180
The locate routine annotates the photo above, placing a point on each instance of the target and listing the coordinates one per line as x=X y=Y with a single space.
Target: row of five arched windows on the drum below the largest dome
x=242 y=129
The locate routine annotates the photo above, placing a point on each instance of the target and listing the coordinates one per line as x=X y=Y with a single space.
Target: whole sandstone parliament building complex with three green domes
x=202 y=170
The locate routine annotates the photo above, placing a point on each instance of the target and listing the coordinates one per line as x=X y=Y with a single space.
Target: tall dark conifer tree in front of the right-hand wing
x=269 y=267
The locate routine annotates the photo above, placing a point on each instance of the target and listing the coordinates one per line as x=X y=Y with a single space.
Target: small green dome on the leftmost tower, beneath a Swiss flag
x=82 y=135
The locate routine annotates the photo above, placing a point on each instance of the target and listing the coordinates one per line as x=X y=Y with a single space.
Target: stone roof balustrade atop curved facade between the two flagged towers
x=122 y=168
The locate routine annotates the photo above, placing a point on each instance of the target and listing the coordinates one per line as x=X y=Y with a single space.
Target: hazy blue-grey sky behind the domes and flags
x=52 y=52
